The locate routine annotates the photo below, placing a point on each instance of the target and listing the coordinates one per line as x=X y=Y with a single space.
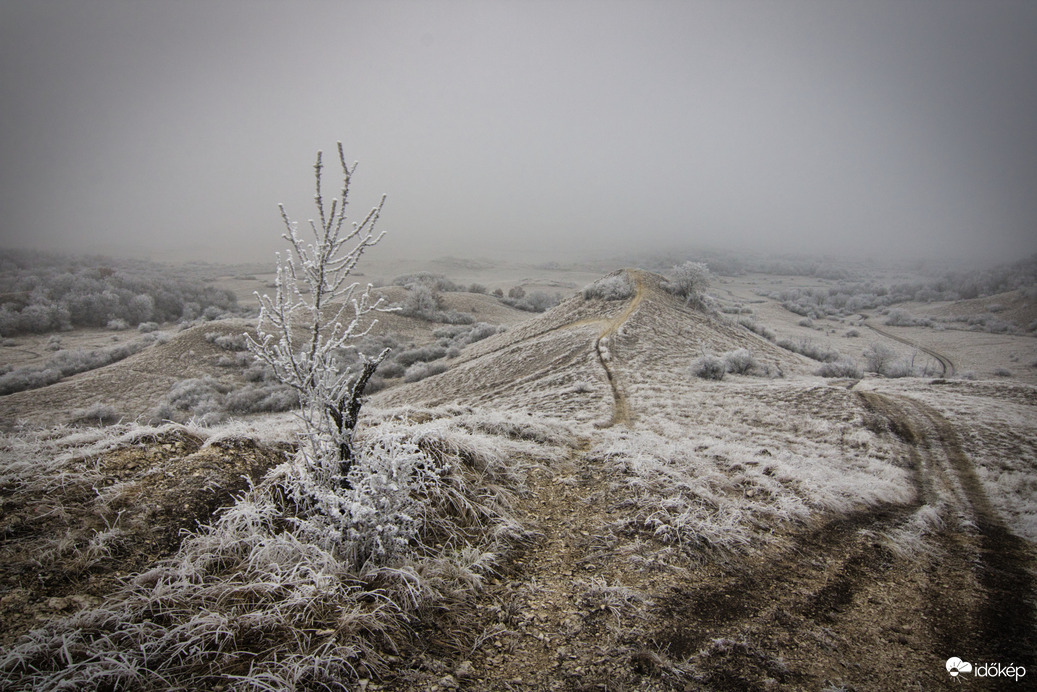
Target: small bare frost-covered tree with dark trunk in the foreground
x=316 y=313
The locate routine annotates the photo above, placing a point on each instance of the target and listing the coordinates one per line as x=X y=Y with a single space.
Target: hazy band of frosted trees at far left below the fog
x=43 y=293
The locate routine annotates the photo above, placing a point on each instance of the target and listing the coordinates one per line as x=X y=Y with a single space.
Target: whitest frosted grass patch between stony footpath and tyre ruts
x=716 y=491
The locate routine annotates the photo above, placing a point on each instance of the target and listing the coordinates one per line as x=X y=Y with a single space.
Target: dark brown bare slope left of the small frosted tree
x=65 y=551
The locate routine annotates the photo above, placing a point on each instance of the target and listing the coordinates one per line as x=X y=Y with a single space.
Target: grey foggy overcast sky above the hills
x=173 y=129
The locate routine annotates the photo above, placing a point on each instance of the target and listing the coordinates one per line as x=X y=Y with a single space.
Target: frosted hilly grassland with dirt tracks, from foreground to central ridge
x=626 y=490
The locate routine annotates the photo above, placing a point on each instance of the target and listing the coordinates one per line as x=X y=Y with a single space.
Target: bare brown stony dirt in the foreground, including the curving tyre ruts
x=830 y=604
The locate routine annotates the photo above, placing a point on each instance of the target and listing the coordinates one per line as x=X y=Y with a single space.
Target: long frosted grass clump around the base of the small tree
x=302 y=587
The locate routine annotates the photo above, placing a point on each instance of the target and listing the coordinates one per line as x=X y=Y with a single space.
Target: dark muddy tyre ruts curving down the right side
x=970 y=594
